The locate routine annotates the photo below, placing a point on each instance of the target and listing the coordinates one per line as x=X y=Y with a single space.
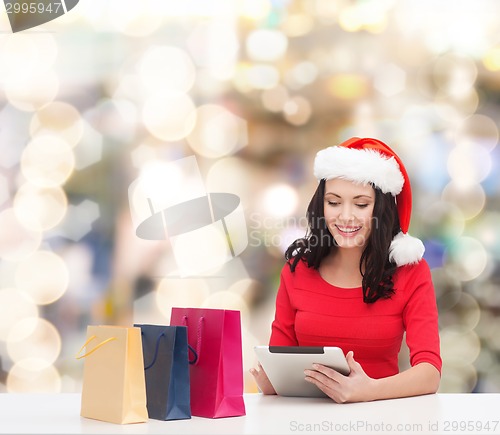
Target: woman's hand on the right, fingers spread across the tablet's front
x=357 y=387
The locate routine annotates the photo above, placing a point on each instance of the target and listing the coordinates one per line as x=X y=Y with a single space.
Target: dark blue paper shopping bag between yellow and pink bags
x=166 y=366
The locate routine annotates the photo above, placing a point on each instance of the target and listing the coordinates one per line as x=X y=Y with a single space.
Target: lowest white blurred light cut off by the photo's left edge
x=14 y=307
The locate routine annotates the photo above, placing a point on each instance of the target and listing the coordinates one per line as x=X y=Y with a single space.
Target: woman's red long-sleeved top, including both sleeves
x=312 y=312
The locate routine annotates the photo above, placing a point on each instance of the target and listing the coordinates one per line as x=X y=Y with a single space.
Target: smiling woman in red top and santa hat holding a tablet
x=358 y=281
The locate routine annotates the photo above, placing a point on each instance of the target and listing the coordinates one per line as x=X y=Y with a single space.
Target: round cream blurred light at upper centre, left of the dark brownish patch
x=217 y=132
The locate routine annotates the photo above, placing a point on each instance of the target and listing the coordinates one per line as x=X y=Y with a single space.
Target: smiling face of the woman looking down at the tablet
x=348 y=209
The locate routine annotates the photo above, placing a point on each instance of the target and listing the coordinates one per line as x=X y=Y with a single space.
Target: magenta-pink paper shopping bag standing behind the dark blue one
x=217 y=375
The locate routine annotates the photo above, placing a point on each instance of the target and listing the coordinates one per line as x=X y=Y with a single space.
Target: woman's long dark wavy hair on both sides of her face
x=375 y=267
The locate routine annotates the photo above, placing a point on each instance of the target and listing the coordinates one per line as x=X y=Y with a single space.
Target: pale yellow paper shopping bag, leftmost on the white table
x=114 y=388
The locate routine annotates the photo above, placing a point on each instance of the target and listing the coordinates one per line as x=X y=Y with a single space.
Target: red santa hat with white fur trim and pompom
x=366 y=161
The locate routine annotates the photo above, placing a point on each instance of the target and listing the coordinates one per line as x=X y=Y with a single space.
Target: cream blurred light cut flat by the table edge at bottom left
x=33 y=375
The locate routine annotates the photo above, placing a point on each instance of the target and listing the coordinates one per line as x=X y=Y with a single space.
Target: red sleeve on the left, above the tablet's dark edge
x=283 y=329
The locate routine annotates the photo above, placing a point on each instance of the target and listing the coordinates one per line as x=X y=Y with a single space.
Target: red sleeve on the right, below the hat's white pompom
x=420 y=317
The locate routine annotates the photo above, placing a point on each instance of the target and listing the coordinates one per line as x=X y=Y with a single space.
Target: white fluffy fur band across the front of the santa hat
x=359 y=165
